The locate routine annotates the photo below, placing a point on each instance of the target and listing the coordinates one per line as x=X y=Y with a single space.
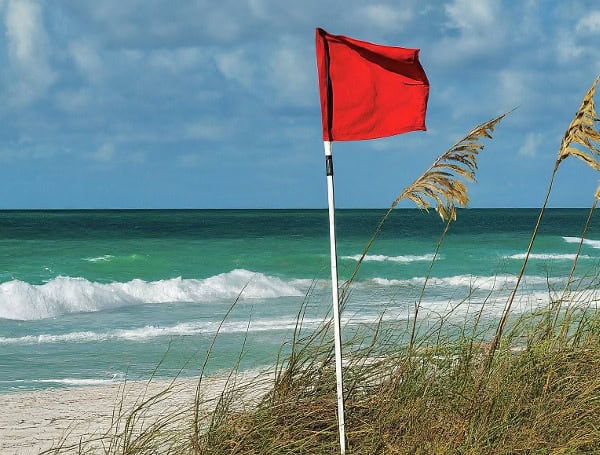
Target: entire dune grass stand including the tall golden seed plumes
x=472 y=386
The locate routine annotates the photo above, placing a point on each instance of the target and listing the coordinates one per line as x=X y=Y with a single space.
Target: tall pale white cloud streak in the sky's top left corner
x=28 y=51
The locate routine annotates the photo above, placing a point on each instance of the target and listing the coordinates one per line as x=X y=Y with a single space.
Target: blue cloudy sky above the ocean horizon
x=214 y=104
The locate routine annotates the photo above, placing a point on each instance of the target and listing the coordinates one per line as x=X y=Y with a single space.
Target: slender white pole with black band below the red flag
x=335 y=298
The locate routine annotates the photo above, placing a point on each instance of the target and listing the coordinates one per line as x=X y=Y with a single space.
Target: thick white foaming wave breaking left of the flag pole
x=23 y=301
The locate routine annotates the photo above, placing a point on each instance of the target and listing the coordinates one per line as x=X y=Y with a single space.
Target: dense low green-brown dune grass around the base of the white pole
x=540 y=394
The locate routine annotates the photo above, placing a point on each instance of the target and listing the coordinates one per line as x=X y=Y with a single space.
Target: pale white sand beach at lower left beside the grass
x=31 y=422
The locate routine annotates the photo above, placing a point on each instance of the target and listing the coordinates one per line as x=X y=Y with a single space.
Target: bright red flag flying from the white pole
x=367 y=90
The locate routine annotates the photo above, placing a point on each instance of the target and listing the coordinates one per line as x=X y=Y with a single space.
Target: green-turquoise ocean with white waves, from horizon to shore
x=97 y=296
